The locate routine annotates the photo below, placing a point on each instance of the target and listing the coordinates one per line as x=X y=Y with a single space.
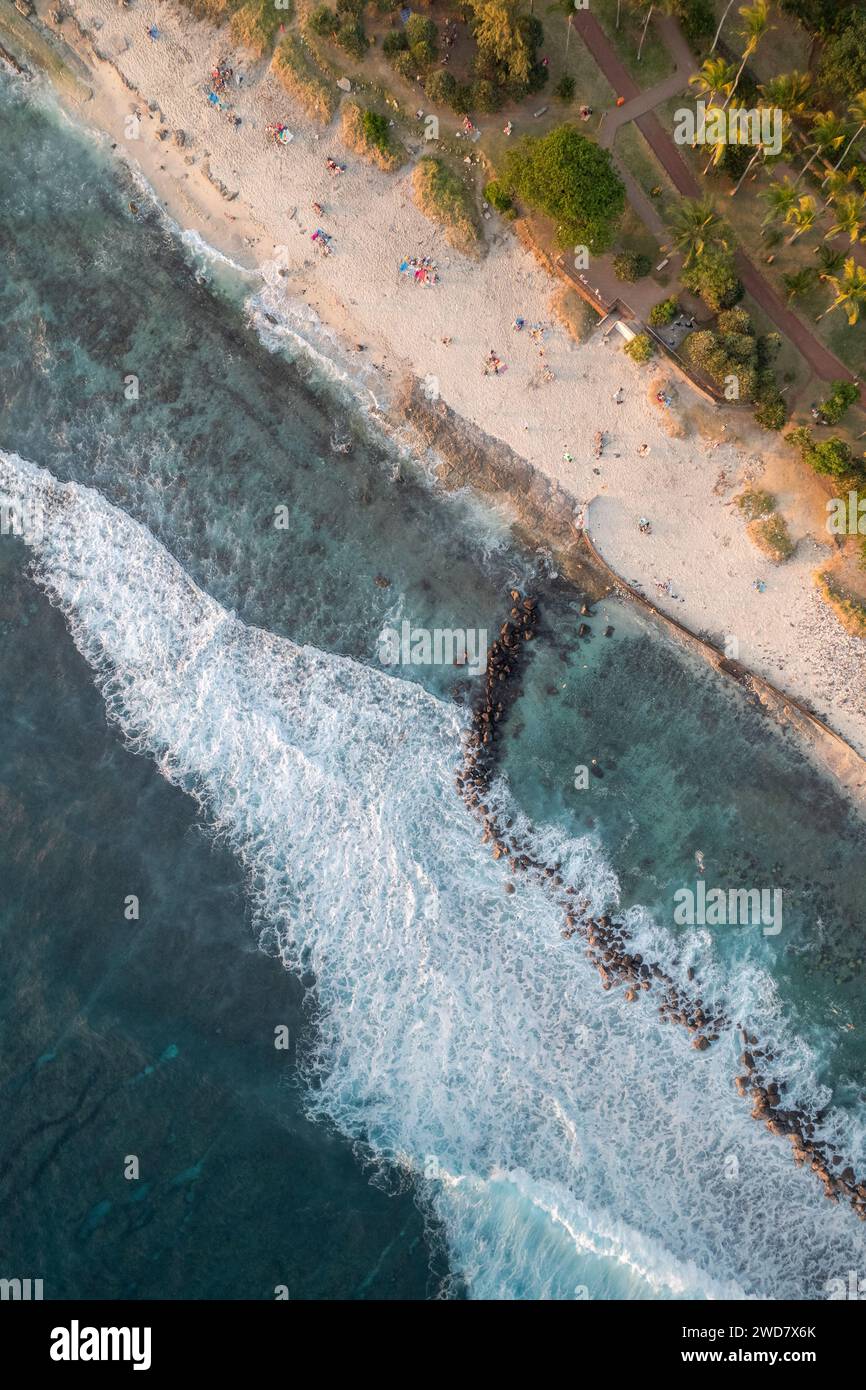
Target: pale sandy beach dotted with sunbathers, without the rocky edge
x=698 y=539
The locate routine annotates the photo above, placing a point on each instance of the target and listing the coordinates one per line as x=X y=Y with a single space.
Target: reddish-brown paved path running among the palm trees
x=825 y=363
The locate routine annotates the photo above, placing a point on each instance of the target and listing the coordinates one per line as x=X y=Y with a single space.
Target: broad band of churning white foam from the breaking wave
x=569 y=1140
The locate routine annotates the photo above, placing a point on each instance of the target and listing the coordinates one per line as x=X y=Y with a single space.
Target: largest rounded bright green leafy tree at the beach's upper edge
x=572 y=181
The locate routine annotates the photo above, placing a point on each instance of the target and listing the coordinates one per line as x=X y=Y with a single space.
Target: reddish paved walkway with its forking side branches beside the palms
x=640 y=108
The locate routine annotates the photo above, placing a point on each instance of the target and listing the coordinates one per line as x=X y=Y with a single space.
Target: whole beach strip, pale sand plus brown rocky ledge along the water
x=497 y=434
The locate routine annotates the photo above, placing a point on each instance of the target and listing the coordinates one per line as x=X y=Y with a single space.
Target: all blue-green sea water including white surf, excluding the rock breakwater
x=461 y=1109
